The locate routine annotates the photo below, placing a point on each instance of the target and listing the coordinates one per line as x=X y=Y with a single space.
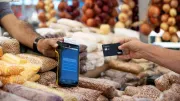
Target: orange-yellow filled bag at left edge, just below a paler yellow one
x=7 y=69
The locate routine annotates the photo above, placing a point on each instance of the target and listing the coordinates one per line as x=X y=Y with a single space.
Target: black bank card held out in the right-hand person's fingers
x=111 y=49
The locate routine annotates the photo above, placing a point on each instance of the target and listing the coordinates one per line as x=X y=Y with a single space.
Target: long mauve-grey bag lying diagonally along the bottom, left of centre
x=31 y=94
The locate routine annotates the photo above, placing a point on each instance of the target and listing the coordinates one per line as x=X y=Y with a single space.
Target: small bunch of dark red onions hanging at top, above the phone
x=69 y=11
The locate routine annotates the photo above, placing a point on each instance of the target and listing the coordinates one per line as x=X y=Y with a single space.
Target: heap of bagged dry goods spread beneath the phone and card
x=34 y=74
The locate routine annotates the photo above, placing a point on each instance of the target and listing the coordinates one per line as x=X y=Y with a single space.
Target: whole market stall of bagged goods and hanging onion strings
x=29 y=76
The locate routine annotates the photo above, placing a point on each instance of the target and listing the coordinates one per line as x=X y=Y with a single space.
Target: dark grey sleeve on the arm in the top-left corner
x=5 y=9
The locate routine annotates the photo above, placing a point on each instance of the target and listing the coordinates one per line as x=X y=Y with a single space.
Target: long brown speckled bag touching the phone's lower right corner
x=105 y=86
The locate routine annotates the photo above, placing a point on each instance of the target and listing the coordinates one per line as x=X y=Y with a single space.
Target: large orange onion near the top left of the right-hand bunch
x=153 y=11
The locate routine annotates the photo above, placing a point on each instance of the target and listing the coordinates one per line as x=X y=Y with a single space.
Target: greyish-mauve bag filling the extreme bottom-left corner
x=4 y=96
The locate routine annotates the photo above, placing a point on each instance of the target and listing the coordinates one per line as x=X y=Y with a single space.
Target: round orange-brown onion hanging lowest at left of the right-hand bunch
x=145 y=29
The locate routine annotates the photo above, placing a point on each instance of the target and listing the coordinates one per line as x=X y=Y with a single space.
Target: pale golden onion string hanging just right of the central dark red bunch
x=129 y=16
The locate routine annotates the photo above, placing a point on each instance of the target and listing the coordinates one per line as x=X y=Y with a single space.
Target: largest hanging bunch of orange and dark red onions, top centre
x=97 y=12
